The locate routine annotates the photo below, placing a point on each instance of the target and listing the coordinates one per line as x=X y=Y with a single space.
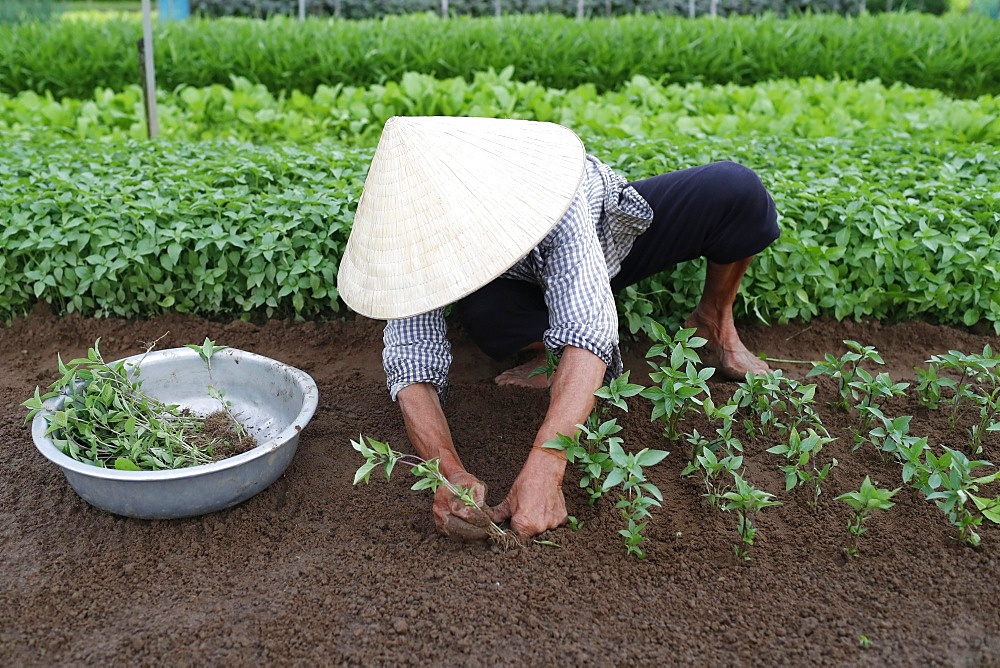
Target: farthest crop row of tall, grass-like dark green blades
x=955 y=54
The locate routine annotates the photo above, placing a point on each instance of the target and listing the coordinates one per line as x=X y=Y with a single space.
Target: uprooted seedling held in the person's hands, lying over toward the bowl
x=428 y=476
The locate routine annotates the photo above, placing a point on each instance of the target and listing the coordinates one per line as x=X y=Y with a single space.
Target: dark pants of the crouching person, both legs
x=720 y=211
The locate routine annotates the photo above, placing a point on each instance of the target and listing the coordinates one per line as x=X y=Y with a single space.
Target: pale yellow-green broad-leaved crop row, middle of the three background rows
x=810 y=108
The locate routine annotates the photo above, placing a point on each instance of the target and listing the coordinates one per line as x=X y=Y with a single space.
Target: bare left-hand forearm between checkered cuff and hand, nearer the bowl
x=427 y=427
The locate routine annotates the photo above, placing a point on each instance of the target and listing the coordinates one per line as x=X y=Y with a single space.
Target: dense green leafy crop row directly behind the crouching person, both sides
x=875 y=227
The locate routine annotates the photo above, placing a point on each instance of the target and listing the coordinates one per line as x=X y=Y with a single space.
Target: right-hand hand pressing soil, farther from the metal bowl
x=535 y=502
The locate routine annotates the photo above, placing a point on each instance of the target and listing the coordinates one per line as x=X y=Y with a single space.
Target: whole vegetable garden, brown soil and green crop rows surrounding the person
x=841 y=510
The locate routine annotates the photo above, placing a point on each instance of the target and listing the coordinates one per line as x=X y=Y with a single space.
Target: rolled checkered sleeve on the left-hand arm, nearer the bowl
x=416 y=350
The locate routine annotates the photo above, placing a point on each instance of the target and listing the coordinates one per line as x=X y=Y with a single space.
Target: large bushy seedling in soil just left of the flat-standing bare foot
x=681 y=387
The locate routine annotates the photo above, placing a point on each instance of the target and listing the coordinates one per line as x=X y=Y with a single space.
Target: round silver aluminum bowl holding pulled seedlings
x=272 y=400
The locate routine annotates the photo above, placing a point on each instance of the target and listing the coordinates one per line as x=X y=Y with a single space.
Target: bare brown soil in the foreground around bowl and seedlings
x=316 y=571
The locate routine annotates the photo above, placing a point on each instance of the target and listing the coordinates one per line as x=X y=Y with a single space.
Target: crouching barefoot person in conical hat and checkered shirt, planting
x=527 y=237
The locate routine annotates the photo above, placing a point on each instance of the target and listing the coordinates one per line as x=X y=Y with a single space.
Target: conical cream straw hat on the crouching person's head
x=451 y=203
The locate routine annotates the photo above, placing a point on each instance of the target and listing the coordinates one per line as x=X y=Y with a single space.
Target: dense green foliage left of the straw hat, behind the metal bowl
x=138 y=229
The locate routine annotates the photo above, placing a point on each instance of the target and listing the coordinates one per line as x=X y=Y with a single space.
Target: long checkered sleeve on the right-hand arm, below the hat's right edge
x=578 y=294
